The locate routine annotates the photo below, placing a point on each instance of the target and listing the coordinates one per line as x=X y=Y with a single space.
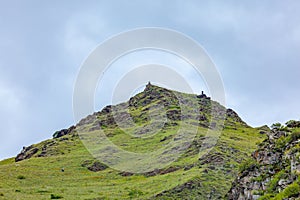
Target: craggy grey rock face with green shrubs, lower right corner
x=273 y=171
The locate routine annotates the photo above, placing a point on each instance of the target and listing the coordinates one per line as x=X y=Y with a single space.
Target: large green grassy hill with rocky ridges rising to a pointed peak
x=62 y=167
